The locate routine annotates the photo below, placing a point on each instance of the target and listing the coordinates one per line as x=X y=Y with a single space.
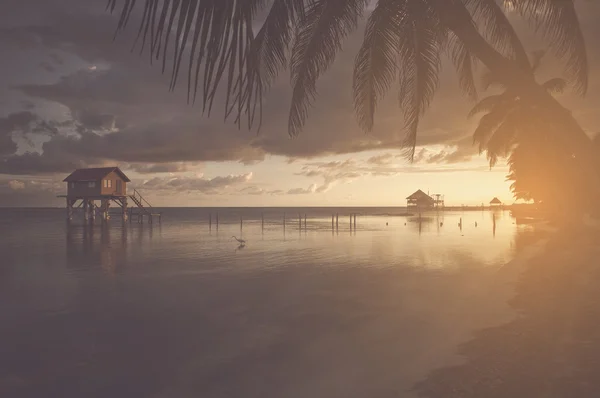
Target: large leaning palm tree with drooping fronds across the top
x=244 y=44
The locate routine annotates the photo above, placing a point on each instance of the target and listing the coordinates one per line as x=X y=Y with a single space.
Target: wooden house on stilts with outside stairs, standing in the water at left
x=106 y=185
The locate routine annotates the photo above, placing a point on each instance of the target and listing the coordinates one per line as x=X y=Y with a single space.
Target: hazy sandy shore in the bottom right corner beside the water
x=552 y=349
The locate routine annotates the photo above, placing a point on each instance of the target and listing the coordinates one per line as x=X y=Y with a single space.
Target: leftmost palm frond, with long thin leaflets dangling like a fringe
x=216 y=35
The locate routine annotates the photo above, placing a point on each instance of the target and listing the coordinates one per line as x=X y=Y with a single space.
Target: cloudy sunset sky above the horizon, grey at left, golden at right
x=72 y=97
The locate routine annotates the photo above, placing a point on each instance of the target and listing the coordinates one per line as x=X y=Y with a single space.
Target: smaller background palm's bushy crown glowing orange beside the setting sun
x=509 y=118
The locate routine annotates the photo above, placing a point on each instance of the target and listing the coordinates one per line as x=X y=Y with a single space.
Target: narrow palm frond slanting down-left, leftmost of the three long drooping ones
x=319 y=37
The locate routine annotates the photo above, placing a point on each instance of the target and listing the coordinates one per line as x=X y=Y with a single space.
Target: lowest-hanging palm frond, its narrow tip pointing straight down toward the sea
x=421 y=39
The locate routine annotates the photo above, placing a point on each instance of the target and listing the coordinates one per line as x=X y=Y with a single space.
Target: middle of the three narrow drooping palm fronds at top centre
x=375 y=66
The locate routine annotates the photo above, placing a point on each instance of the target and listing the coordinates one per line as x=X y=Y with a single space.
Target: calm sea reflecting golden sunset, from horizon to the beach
x=178 y=309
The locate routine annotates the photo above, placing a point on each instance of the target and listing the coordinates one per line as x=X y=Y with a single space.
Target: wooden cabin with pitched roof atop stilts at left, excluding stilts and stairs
x=97 y=182
